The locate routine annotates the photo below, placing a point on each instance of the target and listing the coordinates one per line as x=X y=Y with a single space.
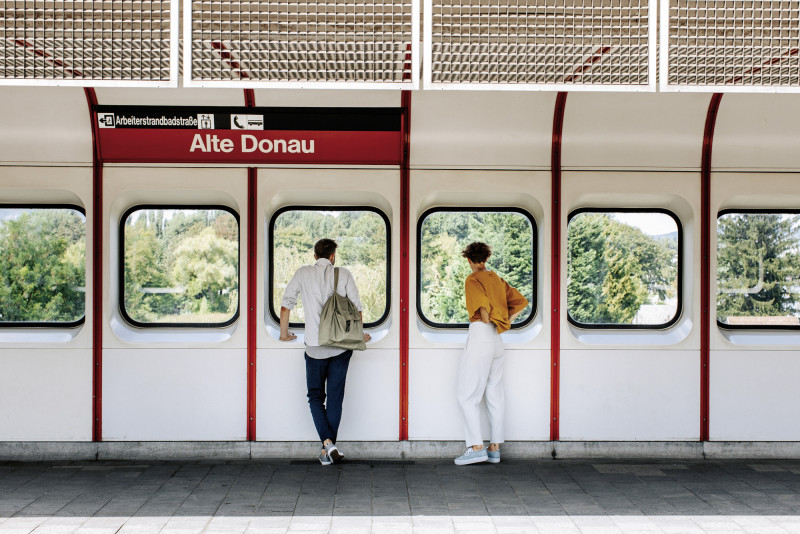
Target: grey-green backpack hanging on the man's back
x=340 y=323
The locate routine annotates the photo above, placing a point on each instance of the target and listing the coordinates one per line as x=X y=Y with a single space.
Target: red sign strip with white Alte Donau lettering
x=254 y=147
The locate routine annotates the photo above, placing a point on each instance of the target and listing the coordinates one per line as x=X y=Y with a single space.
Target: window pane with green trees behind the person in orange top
x=442 y=234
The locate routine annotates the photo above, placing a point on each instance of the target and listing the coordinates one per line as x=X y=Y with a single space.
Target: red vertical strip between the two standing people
x=404 y=262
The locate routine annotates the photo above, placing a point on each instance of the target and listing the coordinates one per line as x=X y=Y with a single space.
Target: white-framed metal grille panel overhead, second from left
x=321 y=43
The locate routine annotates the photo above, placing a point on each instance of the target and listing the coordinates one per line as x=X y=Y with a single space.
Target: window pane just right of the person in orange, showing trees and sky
x=623 y=268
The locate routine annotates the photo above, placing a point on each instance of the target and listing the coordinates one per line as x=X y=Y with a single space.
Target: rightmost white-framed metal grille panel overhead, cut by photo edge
x=730 y=45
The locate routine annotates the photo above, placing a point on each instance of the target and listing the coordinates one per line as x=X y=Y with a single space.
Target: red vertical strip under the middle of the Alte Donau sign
x=252 y=227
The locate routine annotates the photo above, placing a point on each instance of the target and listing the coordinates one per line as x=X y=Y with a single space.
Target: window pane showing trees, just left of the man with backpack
x=180 y=266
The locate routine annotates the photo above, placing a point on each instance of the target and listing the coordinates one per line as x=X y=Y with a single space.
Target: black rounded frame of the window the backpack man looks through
x=271 y=263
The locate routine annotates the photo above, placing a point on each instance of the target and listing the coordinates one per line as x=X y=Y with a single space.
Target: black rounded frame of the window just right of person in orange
x=679 y=290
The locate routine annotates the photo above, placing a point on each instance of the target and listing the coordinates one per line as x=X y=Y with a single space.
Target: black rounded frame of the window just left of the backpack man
x=121 y=273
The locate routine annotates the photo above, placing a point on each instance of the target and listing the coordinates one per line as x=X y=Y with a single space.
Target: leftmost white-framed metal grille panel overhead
x=89 y=43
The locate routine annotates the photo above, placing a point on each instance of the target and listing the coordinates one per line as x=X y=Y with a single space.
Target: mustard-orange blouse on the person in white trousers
x=486 y=289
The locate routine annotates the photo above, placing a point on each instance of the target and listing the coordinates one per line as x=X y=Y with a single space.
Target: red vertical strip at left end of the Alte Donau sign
x=97 y=272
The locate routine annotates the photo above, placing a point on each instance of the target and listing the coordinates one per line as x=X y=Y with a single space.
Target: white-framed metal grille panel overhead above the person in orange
x=540 y=44
